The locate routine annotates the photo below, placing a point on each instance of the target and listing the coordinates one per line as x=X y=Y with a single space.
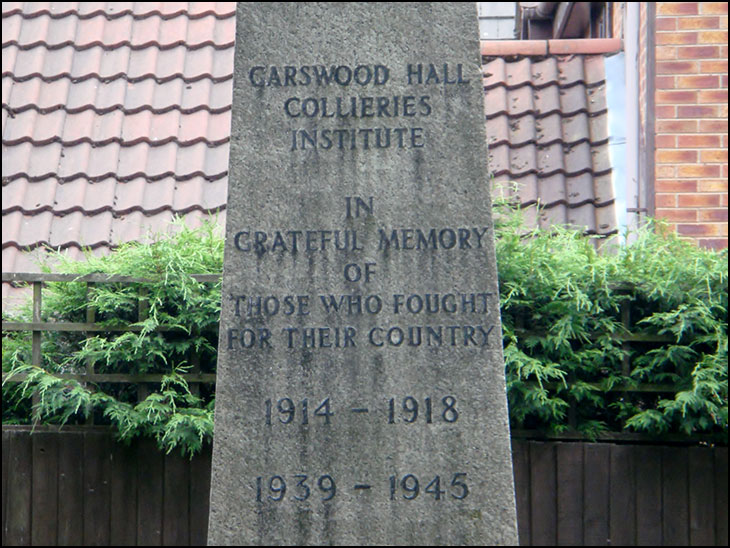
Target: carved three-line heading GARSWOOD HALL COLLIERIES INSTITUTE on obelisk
x=327 y=100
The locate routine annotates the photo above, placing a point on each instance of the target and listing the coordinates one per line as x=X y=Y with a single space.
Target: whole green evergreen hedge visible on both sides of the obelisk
x=565 y=308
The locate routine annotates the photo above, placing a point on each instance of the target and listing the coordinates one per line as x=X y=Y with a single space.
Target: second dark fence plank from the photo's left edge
x=44 y=489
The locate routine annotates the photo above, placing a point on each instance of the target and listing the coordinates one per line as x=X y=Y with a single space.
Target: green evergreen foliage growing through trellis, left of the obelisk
x=179 y=326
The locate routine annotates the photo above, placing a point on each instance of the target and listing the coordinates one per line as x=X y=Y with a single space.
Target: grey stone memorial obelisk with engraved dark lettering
x=360 y=393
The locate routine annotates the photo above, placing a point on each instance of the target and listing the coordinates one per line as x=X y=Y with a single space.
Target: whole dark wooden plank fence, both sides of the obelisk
x=79 y=487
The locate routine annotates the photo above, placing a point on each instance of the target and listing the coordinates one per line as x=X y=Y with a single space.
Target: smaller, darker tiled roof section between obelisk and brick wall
x=547 y=127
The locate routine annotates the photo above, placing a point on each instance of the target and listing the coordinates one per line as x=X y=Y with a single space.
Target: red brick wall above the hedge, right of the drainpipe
x=691 y=119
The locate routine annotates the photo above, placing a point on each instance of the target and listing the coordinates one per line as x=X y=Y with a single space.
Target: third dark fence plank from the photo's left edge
x=71 y=489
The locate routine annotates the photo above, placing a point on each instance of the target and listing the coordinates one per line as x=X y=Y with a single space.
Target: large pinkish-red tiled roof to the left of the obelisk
x=115 y=118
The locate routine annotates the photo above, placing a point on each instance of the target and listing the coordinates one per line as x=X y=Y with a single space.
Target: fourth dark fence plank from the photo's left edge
x=97 y=488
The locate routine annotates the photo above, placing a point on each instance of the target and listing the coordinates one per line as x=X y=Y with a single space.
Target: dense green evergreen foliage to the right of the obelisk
x=569 y=311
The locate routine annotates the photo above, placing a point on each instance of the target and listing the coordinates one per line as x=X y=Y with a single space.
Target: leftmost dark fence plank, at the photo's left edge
x=17 y=528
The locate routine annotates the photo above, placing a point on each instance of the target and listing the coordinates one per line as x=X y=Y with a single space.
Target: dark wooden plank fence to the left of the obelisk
x=79 y=487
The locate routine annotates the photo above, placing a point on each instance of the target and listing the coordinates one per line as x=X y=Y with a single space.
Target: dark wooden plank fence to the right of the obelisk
x=597 y=494
